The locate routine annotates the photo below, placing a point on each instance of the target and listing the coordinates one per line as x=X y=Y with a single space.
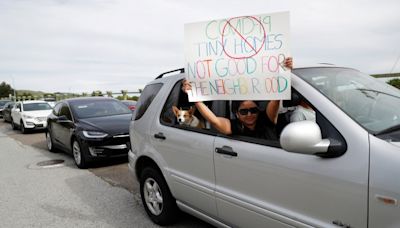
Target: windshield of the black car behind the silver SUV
x=96 y=108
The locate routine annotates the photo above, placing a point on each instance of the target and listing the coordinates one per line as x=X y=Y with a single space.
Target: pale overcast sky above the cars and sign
x=113 y=45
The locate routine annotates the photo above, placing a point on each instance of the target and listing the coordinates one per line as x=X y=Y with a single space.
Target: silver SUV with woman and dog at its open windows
x=341 y=170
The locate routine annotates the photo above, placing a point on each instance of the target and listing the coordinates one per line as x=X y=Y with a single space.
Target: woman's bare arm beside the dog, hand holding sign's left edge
x=222 y=124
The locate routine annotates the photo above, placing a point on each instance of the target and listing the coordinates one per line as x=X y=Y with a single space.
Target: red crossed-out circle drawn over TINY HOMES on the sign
x=237 y=33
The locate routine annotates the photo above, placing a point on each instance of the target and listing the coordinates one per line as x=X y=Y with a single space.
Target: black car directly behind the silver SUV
x=89 y=128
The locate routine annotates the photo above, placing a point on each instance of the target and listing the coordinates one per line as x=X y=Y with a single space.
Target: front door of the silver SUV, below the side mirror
x=262 y=185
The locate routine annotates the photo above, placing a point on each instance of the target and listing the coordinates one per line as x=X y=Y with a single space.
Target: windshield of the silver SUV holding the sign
x=371 y=103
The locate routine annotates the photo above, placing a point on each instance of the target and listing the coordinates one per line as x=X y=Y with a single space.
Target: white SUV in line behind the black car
x=30 y=115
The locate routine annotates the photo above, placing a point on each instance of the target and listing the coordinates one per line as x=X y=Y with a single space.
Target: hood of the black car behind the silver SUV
x=112 y=125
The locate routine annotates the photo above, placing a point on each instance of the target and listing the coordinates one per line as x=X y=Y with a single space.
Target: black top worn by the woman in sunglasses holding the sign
x=264 y=129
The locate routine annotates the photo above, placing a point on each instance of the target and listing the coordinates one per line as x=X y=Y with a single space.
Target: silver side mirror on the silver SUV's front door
x=304 y=137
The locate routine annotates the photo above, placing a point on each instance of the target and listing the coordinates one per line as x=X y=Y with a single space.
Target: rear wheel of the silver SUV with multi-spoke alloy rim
x=157 y=199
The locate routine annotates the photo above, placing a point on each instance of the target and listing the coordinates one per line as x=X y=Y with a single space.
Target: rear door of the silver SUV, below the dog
x=187 y=154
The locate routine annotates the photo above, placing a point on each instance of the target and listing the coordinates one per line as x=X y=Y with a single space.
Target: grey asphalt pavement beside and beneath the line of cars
x=105 y=195
